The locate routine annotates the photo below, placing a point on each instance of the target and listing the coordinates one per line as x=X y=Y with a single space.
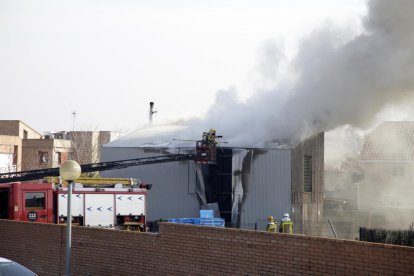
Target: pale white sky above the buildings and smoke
x=108 y=59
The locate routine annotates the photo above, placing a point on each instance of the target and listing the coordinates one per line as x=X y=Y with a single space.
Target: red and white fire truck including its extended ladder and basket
x=114 y=204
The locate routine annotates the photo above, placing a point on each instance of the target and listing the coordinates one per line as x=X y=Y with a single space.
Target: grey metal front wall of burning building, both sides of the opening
x=261 y=186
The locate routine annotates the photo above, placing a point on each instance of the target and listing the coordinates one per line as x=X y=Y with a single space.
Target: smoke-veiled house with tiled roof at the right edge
x=387 y=159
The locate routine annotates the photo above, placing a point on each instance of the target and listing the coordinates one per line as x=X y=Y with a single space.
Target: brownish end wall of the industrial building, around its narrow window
x=307 y=206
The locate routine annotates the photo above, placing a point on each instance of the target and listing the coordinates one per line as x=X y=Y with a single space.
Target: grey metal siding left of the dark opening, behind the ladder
x=174 y=184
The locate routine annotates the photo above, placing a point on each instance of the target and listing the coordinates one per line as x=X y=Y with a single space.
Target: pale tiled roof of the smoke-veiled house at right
x=389 y=141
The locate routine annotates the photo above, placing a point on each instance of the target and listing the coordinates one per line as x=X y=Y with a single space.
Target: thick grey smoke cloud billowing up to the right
x=335 y=83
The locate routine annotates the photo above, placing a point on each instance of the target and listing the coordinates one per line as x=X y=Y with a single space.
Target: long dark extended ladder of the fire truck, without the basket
x=94 y=167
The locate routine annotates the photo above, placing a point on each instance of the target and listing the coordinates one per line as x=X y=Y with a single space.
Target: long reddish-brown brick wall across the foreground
x=188 y=250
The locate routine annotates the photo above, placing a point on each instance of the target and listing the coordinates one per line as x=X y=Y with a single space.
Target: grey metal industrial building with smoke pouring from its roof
x=247 y=183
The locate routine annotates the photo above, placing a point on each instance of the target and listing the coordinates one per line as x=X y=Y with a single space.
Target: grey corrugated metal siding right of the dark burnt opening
x=268 y=188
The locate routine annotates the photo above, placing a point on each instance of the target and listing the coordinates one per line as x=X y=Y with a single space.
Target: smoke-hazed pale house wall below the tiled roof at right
x=385 y=194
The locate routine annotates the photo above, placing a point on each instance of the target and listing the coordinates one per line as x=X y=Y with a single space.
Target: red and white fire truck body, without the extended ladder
x=111 y=206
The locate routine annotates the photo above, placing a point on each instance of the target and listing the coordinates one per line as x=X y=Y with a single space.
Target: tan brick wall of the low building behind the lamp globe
x=55 y=151
